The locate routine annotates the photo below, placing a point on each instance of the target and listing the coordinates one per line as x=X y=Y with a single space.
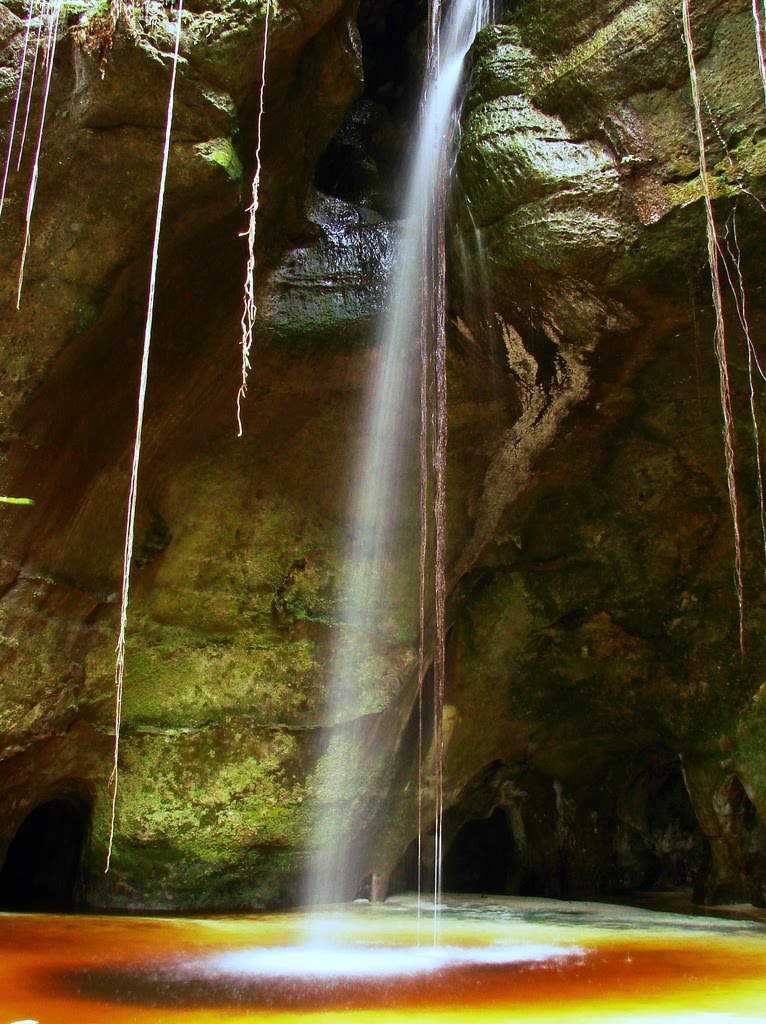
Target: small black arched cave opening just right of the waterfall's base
x=481 y=857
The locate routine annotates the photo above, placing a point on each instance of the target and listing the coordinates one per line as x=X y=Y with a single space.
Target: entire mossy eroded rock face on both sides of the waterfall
x=605 y=734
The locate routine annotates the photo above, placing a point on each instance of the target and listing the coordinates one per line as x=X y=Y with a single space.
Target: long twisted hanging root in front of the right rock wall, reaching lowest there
x=720 y=332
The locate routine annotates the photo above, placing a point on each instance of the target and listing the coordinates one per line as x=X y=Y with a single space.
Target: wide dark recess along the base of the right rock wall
x=633 y=831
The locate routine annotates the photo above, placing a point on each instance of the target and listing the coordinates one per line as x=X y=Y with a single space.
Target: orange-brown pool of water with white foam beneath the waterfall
x=489 y=960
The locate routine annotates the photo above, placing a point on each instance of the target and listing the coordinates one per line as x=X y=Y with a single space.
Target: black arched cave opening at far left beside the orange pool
x=44 y=866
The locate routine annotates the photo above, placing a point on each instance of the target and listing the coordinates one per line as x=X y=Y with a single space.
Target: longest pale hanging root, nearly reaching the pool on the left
x=133 y=495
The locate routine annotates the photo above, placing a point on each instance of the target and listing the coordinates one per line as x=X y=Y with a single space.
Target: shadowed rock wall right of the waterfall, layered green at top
x=598 y=605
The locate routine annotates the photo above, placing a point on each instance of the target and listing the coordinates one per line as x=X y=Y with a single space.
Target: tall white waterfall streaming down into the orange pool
x=405 y=365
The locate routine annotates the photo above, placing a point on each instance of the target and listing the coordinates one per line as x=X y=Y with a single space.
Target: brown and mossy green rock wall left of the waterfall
x=226 y=642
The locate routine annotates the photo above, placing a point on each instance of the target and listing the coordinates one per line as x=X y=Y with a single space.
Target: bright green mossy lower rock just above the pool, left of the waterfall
x=211 y=818
